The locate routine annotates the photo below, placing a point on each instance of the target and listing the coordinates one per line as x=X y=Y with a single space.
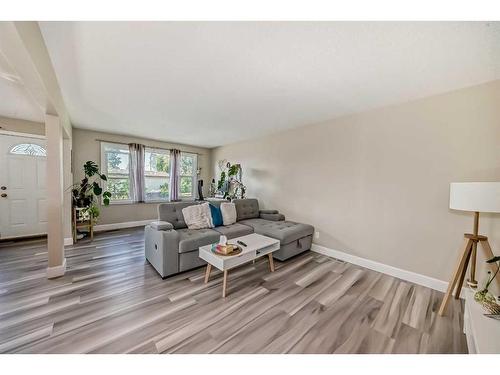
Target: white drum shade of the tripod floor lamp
x=475 y=196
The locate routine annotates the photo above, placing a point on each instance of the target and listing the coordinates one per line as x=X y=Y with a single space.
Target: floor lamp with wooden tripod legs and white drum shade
x=474 y=197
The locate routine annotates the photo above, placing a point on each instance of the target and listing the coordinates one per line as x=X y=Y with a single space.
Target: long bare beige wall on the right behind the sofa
x=376 y=184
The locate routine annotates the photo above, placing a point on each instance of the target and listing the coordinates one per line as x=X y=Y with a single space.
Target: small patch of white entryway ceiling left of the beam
x=15 y=100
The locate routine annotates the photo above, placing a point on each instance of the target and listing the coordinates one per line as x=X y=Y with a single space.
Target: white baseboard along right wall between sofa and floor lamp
x=413 y=277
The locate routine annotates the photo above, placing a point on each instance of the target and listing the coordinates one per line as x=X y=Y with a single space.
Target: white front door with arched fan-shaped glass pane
x=23 y=194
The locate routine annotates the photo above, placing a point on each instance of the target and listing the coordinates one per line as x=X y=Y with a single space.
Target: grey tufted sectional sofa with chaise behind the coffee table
x=172 y=248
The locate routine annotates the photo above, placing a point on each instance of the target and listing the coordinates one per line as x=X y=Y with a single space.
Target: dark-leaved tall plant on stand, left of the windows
x=85 y=193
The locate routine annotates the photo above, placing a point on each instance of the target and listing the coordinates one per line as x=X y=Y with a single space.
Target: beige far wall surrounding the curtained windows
x=86 y=147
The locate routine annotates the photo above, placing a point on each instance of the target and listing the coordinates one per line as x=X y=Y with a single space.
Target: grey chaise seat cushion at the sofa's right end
x=285 y=231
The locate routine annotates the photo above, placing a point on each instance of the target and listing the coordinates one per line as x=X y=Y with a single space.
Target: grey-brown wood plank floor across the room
x=112 y=301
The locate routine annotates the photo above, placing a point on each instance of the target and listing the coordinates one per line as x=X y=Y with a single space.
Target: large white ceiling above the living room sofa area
x=213 y=83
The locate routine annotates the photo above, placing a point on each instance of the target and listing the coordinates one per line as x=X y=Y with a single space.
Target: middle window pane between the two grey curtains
x=156 y=174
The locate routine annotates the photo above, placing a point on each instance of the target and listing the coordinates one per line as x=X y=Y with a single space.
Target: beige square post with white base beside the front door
x=55 y=189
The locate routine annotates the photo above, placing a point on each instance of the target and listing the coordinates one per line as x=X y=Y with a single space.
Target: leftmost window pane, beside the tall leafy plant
x=115 y=165
